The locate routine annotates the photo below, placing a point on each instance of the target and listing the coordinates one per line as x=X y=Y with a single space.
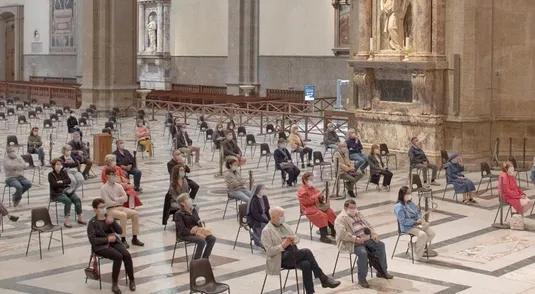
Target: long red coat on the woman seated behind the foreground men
x=308 y=196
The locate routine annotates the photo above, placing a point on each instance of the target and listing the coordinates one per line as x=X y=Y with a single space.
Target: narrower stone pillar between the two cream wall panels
x=243 y=42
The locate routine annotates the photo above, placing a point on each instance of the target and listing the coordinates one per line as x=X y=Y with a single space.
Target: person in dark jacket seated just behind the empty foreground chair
x=190 y=228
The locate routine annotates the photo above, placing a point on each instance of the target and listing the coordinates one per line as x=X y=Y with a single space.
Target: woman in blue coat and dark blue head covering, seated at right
x=454 y=168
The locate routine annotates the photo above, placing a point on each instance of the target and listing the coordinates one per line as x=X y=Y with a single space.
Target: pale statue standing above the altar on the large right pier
x=395 y=11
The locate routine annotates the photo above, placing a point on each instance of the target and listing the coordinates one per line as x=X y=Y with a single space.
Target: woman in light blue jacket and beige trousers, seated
x=411 y=221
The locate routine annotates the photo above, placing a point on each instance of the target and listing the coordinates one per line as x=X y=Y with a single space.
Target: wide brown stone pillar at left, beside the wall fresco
x=109 y=72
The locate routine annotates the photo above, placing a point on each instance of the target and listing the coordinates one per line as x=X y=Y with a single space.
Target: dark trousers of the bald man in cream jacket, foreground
x=304 y=260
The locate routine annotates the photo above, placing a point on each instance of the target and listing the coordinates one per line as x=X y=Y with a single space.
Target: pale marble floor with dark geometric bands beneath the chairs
x=473 y=257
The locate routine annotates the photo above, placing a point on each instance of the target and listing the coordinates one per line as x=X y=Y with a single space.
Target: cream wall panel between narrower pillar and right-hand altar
x=296 y=27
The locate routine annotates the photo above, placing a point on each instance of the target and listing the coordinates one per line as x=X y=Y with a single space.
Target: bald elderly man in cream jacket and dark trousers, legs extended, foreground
x=280 y=243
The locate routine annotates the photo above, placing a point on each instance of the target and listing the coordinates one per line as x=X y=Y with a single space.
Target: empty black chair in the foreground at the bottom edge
x=201 y=268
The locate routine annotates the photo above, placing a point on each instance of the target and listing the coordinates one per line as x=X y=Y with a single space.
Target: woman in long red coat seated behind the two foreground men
x=309 y=196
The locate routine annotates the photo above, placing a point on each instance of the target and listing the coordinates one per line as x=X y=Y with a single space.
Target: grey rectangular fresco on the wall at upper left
x=62 y=30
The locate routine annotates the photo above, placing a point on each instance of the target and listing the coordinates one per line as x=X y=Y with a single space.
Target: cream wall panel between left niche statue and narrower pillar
x=199 y=27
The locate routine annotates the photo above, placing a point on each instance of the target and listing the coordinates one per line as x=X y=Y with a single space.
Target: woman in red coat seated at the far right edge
x=512 y=194
